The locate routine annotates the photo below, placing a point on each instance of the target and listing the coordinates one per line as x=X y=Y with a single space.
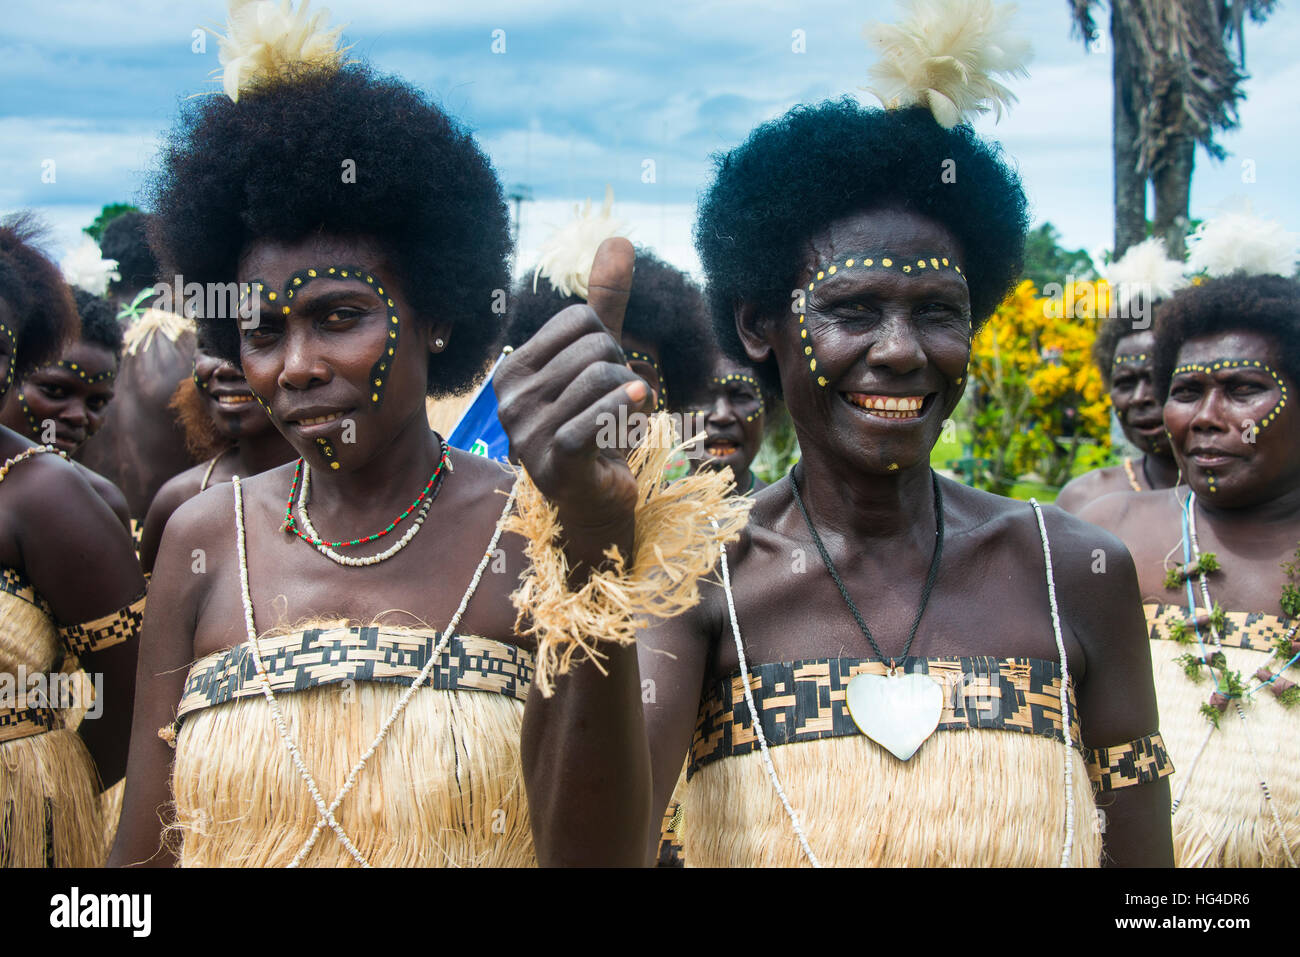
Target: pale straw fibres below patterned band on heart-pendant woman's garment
x=968 y=799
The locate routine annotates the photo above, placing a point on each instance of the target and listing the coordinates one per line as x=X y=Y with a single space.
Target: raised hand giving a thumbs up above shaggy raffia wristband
x=556 y=392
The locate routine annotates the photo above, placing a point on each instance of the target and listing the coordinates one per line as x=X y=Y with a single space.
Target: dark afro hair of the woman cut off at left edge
x=45 y=315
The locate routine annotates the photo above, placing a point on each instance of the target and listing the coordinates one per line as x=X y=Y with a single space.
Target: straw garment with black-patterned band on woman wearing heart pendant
x=987 y=790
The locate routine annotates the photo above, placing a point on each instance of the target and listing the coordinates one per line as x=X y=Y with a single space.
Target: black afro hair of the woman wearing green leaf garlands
x=1268 y=305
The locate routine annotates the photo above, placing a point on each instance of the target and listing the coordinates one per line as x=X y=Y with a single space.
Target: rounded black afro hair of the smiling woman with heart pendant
x=798 y=175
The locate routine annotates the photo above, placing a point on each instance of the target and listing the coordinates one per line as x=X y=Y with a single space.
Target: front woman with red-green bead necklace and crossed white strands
x=336 y=687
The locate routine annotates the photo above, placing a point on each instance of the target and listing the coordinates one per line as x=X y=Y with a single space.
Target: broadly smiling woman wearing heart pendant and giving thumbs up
x=908 y=644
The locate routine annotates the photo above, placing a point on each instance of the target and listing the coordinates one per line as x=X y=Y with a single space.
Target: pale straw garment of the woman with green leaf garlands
x=1224 y=820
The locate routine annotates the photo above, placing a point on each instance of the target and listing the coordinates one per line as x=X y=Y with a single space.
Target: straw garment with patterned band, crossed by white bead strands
x=445 y=789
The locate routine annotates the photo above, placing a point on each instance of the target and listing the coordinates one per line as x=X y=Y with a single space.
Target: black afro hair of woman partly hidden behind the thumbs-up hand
x=665 y=309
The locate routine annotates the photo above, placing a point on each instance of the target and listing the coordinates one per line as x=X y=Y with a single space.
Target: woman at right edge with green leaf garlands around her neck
x=1219 y=564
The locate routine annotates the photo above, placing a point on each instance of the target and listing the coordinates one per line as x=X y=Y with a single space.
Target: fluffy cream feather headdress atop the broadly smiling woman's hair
x=944 y=55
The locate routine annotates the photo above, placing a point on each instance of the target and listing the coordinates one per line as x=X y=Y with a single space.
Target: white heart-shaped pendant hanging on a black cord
x=899 y=713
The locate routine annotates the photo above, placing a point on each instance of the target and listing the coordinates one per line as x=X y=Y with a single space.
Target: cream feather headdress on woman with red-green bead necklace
x=267 y=40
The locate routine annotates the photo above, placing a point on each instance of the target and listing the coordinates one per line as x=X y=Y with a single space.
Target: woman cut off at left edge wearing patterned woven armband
x=70 y=588
